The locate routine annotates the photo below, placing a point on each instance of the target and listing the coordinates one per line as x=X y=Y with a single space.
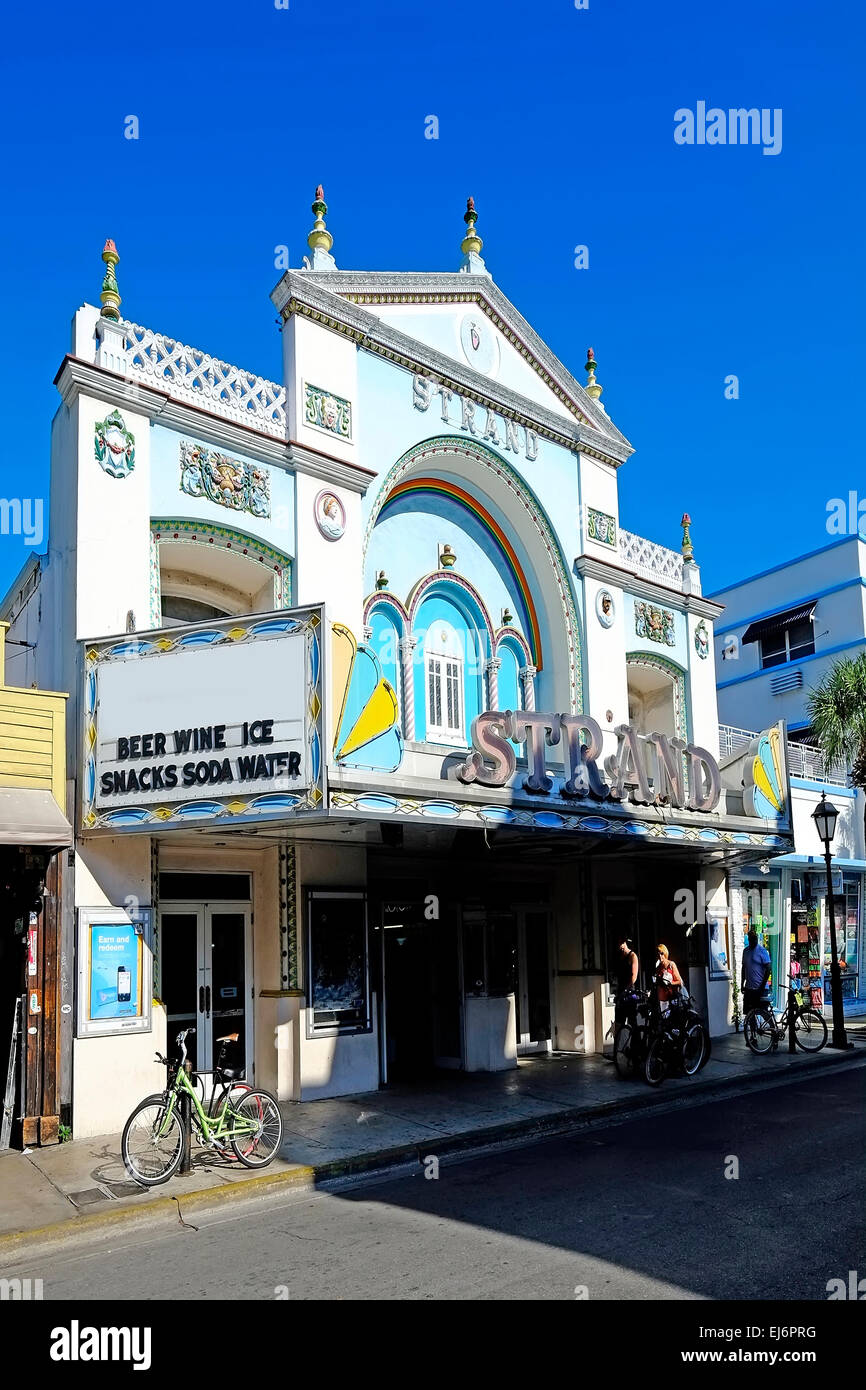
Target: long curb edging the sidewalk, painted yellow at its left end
x=311 y=1177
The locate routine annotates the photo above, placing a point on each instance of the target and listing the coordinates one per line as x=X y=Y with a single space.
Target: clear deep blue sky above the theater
x=704 y=262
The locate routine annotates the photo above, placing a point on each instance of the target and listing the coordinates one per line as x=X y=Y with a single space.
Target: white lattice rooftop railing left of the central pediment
x=201 y=380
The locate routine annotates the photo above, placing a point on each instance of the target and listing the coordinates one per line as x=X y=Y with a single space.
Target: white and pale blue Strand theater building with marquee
x=383 y=730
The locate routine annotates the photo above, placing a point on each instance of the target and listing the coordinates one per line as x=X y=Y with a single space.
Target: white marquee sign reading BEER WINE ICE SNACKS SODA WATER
x=204 y=723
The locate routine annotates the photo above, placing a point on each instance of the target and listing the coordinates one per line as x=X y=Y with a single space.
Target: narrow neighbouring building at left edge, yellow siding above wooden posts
x=34 y=936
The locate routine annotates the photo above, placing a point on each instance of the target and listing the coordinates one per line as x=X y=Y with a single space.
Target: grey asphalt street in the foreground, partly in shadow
x=640 y=1210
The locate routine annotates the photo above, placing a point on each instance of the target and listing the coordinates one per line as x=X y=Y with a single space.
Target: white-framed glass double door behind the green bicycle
x=206 y=979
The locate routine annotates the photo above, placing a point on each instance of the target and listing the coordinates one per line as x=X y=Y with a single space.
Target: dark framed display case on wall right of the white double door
x=338 y=963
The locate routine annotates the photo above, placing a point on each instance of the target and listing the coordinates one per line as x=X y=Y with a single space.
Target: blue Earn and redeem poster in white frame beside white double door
x=115 y=972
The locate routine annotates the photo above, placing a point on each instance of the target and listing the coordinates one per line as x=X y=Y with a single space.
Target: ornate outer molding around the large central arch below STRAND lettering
x=489 y=461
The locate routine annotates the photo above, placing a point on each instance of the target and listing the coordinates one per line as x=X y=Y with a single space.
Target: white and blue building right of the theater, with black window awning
x=781 y=633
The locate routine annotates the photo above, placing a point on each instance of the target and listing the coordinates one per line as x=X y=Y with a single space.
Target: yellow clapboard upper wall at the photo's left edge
x=33 y=737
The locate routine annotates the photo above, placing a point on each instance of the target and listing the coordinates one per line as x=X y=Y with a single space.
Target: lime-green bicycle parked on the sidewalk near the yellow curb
x=247 y=1124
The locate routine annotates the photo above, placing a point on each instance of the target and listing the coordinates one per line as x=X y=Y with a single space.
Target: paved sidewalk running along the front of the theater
x=51 y=1193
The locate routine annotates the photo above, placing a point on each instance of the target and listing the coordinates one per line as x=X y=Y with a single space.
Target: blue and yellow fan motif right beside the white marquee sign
x=365 y=707
